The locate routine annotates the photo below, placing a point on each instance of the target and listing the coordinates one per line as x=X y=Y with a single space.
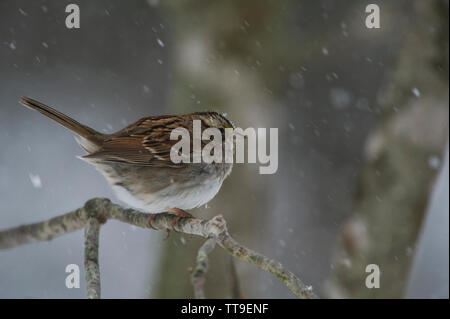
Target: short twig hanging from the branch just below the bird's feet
x=198 y=275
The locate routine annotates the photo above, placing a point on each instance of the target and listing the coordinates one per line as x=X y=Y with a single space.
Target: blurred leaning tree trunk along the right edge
x=402 y=159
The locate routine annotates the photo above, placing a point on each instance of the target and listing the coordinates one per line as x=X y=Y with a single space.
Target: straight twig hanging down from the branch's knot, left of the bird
x=92 y=270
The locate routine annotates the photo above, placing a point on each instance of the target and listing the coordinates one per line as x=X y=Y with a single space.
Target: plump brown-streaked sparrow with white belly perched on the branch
x=136 y=160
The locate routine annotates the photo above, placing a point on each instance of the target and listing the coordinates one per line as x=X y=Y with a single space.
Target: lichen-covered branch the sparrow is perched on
x=98 y=210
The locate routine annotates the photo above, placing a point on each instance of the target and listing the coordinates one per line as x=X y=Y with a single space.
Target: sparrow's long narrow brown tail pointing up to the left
x=88 y=134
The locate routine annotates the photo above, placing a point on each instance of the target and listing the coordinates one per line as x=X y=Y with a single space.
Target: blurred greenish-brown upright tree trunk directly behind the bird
x=219 y=63
